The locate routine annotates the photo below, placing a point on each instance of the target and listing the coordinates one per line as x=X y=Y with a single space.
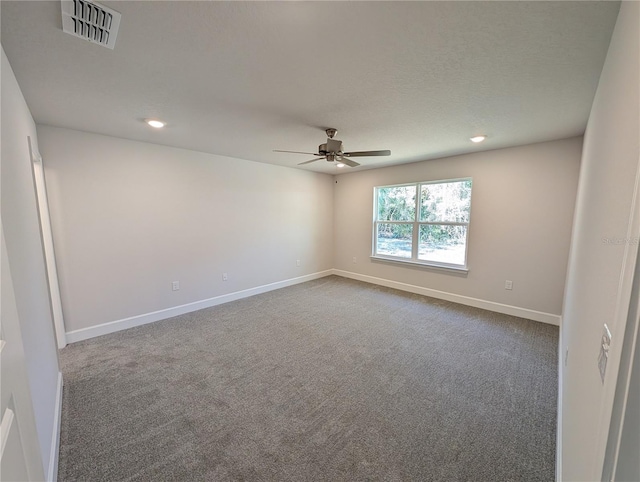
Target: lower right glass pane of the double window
x=443 y=243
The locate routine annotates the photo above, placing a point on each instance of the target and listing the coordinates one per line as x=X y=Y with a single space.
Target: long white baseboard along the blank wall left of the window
x=118 y=325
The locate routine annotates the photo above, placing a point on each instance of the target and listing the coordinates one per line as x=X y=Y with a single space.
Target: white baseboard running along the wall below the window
x=463 y=300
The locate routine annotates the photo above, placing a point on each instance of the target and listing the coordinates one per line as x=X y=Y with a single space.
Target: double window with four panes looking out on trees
x=425 y=223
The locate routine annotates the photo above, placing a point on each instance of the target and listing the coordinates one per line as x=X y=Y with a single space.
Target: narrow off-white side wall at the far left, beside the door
x=26 y=260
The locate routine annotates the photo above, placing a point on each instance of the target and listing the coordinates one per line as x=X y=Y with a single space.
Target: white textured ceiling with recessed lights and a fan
x=243 y=78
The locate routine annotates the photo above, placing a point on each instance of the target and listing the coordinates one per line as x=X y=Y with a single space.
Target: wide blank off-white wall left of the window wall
x=131 y=217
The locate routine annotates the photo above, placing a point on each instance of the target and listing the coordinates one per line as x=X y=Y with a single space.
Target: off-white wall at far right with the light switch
x=599 y=281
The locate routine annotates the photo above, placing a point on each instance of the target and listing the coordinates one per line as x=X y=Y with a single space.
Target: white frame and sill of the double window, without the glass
x=414 y=260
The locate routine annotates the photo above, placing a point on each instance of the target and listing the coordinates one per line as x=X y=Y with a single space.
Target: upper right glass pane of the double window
x=448 y=201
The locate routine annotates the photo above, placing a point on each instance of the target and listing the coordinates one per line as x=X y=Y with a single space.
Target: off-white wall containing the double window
x=521 y=216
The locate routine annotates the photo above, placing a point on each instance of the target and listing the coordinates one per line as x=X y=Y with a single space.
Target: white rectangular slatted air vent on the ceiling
x=90 y=21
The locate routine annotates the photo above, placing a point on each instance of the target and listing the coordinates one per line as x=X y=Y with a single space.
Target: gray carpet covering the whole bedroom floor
x=331 y=380
